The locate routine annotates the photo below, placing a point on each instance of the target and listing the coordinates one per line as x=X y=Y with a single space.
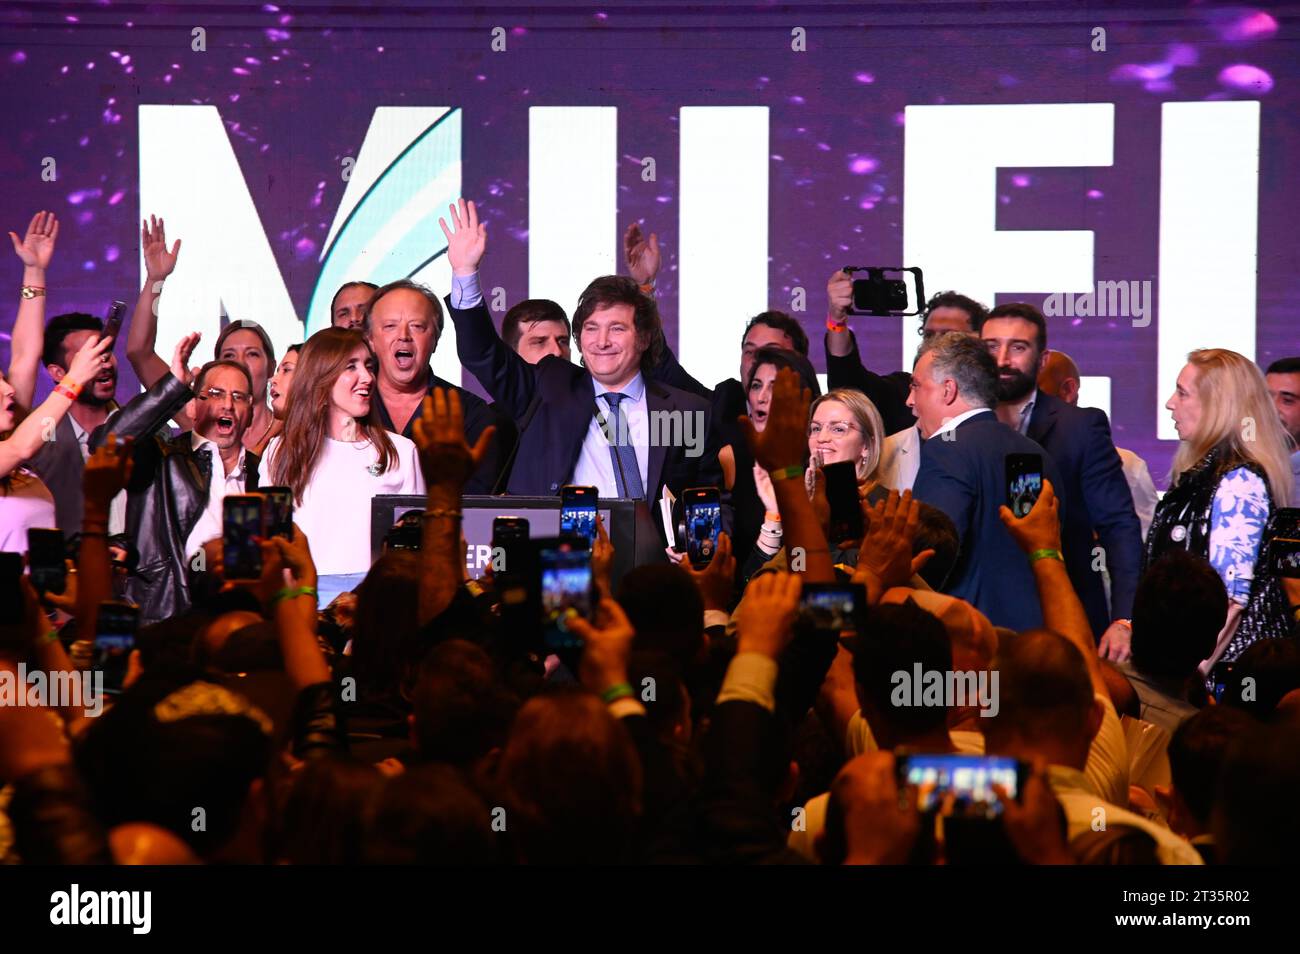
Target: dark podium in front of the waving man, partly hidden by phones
x=635 y=535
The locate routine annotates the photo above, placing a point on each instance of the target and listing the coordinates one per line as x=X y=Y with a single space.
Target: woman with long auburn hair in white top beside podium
x=335 y=454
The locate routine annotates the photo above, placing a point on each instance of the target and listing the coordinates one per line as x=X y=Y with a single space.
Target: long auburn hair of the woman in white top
x=322 y=361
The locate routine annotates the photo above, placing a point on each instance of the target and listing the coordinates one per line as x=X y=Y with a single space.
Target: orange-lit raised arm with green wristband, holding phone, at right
x=1039 y=535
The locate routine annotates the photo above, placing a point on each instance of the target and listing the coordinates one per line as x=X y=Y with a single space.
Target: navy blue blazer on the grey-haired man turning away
x=967 y=479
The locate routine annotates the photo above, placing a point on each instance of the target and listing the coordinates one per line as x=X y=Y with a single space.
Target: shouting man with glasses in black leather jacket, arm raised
x=175 y=497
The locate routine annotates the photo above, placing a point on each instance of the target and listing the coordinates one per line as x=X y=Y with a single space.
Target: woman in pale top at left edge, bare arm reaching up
x=25 y=501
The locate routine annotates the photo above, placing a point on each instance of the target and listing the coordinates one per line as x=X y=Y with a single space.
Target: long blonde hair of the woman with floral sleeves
x=1233 y=392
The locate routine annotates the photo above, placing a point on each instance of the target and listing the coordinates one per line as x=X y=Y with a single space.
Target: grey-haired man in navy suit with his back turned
x=964 y=474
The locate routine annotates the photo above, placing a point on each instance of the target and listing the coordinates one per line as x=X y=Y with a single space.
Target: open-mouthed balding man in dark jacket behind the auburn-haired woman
x=404 y=323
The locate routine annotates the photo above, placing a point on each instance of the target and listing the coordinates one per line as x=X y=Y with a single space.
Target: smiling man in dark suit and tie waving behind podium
x=605 y=424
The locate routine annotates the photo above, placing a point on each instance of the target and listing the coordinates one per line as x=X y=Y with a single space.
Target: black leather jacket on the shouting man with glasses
x=166 y=497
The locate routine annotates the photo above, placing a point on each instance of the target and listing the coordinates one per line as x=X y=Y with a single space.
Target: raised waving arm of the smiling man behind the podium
x=509 y=379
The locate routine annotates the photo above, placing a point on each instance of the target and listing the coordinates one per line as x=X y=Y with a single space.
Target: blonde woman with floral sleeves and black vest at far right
x=1232 y=470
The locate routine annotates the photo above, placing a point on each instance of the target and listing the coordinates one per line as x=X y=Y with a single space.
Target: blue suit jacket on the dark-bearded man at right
x=1102 y=506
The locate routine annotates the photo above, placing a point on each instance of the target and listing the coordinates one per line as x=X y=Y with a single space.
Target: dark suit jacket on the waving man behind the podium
x=554 y=401
